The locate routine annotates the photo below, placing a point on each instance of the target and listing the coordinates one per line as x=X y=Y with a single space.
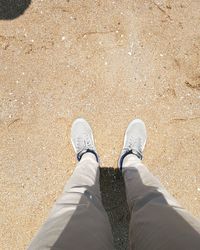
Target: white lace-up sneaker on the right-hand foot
x=134 y=140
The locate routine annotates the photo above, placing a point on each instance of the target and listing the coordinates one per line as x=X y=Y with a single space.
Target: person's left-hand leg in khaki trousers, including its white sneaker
x=78 y=219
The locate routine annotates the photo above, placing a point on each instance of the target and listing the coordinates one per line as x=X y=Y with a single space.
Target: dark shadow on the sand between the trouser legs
x=114 y=200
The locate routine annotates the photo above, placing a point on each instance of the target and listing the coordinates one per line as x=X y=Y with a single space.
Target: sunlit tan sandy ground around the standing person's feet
x=108 y=61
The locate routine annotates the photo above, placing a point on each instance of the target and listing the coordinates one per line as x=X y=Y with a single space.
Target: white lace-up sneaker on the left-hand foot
x=82 y=138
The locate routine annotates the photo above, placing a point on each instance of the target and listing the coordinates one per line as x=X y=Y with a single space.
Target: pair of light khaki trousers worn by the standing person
x=78 y=220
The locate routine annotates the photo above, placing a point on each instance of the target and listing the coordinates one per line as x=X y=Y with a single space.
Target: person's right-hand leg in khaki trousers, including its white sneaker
x=158 y=222
